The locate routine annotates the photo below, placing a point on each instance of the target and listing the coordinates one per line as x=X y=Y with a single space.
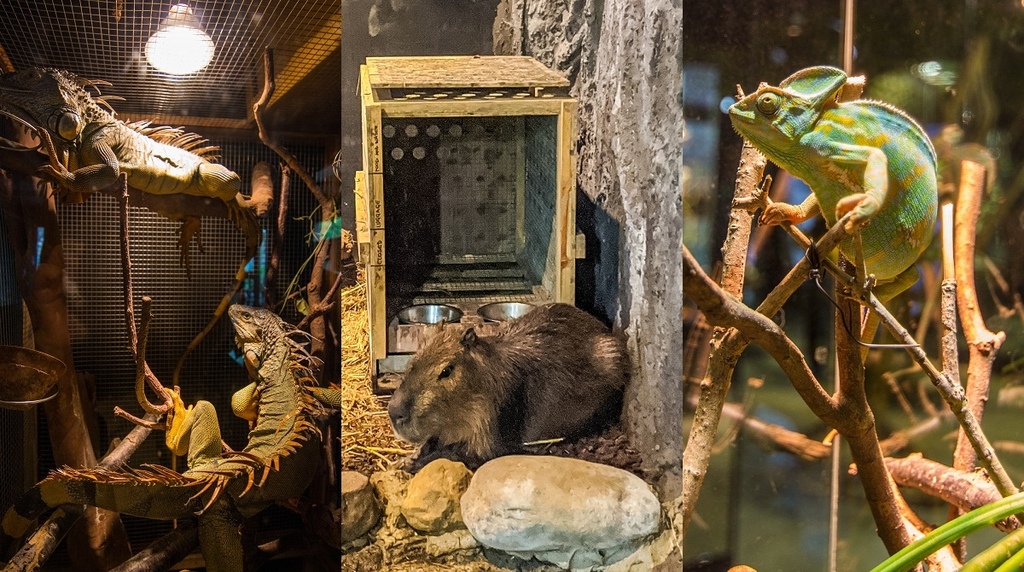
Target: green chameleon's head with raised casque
x=775 y=118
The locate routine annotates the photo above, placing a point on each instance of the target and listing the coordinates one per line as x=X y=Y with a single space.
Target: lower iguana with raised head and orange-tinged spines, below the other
x=284 y=408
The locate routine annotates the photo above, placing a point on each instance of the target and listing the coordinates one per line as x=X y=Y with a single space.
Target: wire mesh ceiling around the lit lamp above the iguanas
x=106 y=40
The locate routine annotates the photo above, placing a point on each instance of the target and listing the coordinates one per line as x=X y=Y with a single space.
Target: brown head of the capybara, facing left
x=445 y=394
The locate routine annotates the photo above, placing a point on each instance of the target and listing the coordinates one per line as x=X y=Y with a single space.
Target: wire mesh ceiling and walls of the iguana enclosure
x=106 y=40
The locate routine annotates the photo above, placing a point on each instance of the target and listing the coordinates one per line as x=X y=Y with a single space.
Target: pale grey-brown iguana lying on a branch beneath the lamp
x=89 y=149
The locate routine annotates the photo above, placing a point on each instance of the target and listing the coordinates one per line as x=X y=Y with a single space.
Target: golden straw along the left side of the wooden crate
x=368 y=443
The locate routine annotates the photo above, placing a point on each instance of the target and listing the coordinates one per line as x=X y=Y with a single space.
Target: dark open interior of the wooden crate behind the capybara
x=464 y=221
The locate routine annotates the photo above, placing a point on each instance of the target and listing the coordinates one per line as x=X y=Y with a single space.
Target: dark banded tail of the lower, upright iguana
x=154 y=492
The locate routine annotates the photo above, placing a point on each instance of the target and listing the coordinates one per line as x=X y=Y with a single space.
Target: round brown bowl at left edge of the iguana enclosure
x=27 y=377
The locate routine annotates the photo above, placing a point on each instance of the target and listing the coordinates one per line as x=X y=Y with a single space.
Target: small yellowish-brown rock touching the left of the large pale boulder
x=432 y=504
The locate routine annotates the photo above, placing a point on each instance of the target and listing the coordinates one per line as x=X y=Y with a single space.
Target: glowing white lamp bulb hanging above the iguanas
x=180 y=47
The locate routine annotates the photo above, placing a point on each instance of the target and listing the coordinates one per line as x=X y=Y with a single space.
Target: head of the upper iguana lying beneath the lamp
x=52 y=100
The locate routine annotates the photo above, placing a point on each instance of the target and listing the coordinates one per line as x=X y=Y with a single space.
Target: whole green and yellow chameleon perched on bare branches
x=862 y=156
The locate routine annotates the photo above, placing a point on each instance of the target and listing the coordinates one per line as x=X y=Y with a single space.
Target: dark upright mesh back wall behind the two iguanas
x=182 y=307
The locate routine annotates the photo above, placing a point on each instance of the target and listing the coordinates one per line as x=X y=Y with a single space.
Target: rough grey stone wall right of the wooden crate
x=625 y=61
